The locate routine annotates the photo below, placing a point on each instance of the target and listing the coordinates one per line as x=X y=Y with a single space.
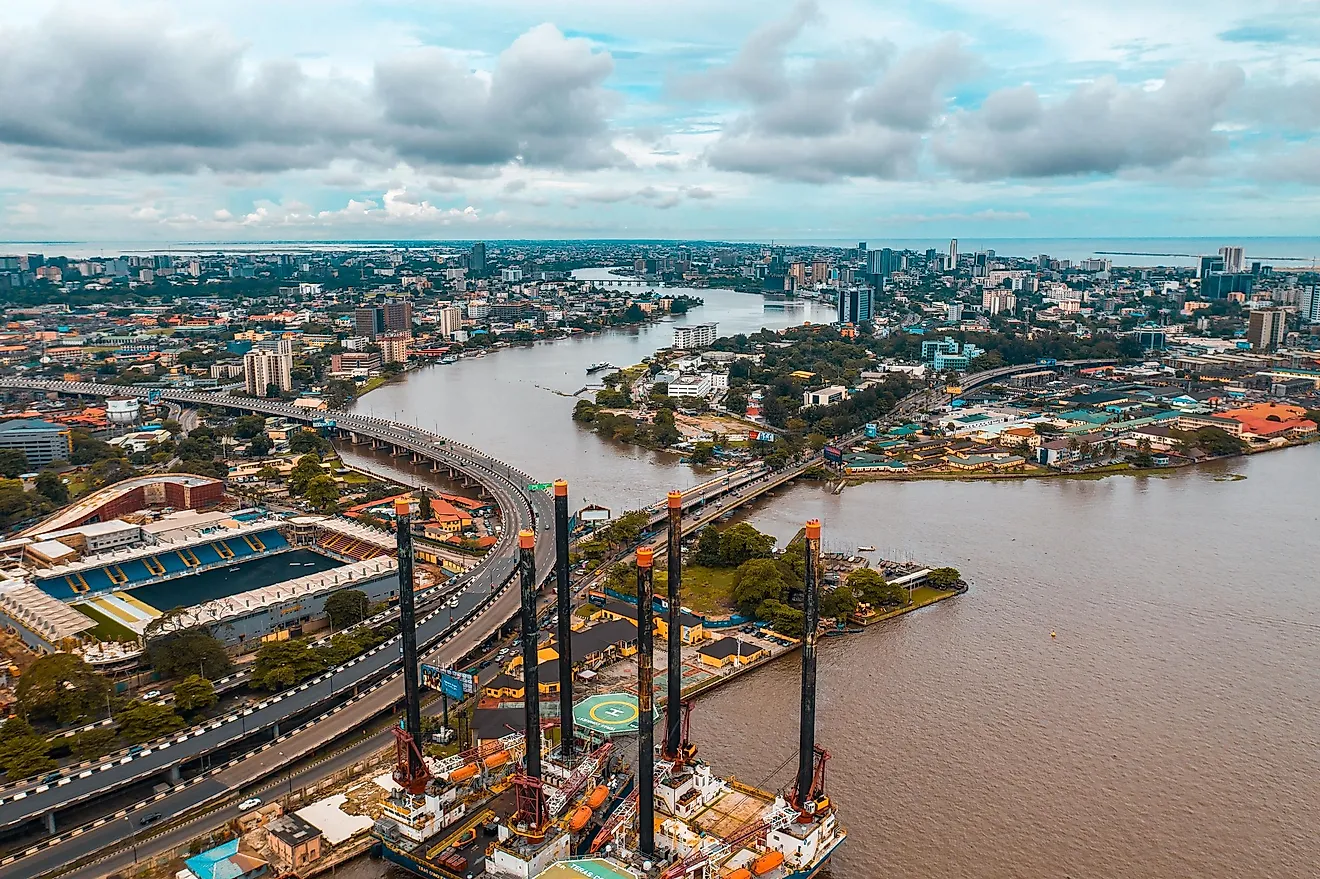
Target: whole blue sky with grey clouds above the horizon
x=742 y=119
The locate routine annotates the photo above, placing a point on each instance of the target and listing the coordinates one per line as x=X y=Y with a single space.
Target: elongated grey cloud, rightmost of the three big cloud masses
x=1100 y=127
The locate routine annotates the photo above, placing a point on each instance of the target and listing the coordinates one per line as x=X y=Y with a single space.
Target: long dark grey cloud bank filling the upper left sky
x=90 y=96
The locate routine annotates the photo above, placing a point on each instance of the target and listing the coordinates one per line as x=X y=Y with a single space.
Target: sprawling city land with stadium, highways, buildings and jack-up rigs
x=212 y=551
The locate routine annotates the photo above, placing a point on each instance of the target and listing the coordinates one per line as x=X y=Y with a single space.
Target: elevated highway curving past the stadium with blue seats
x=485 y=605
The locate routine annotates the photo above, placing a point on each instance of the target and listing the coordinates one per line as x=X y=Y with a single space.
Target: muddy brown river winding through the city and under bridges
x=1169 y=731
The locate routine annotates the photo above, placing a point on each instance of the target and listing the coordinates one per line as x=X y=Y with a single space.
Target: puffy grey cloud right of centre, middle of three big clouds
x=860 y=112
